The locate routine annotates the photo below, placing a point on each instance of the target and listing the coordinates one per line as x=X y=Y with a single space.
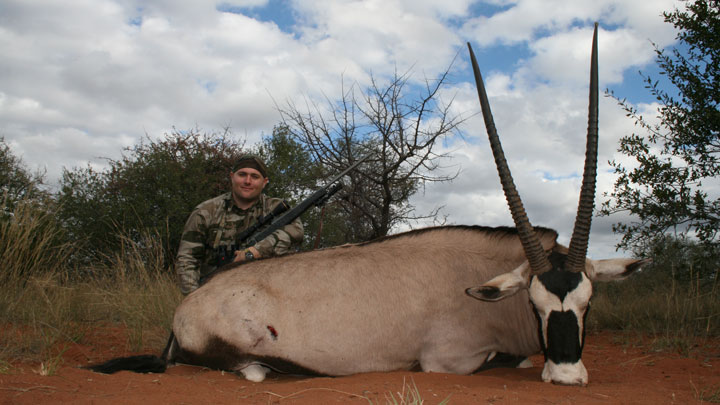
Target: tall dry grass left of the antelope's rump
x=44 y=305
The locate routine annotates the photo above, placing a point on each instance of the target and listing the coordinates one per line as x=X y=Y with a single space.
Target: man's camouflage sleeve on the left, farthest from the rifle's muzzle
x=191 y=252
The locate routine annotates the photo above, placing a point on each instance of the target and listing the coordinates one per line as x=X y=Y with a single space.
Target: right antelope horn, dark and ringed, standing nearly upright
x=577 y=251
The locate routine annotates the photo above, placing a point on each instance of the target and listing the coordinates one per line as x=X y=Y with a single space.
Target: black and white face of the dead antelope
x=560 y=299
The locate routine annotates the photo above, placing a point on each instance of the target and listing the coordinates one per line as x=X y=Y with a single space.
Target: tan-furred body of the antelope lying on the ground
x=379 y=306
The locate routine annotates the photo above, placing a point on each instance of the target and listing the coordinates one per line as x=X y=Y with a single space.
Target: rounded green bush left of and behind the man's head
x=153 y=188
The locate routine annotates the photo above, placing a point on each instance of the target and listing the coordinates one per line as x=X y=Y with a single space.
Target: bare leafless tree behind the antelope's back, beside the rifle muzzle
x=399 y=125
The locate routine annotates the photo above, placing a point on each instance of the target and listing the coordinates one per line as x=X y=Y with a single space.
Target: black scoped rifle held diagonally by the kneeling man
x=226 y=254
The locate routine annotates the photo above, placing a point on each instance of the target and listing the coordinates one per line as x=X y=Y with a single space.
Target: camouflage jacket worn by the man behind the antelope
x=202 y=235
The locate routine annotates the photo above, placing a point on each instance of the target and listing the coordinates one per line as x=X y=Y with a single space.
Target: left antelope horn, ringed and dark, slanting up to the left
x=534 y=251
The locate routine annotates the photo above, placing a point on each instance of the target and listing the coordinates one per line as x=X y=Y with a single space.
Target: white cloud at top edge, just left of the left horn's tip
x=377 y=35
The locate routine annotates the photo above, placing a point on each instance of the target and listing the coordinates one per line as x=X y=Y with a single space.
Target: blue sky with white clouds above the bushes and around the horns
x=80 y=80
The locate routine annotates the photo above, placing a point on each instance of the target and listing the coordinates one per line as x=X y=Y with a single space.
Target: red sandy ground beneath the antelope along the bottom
x=618 y=375
